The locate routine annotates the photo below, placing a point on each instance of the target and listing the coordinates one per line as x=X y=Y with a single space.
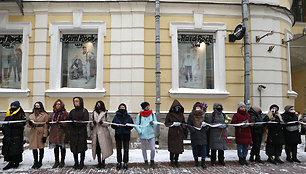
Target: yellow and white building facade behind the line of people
x=125 y=53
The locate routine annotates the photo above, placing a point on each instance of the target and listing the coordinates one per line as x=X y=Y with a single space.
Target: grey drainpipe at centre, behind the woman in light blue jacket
x=157 y=73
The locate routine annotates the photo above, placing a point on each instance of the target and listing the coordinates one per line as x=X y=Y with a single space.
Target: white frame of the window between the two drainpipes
x=219 y=31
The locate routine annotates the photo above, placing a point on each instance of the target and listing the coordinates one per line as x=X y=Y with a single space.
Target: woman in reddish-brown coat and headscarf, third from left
x=58 y=132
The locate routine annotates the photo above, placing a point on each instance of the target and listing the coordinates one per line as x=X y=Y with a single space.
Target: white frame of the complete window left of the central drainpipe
x=55 y=29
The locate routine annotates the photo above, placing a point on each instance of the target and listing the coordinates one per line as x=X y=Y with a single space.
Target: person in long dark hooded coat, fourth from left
x=78 y=131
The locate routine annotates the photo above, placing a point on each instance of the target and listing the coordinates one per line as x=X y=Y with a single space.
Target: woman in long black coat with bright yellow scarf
x=13 y=136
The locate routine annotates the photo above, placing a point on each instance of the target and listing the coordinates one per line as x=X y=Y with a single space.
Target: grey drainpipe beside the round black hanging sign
x=246 y=54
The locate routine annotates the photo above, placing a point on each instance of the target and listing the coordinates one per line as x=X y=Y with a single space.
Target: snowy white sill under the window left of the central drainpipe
x=73 y=92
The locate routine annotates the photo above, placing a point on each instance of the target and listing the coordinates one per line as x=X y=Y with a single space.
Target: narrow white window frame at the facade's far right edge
x=290 y=93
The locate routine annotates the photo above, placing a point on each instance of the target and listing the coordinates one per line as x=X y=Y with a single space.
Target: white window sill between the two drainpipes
x=197 y=93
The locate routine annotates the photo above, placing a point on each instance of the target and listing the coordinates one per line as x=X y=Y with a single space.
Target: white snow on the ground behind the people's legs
x=135 y=156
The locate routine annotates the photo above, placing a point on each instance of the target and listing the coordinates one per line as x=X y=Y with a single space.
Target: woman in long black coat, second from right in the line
x=275 y=136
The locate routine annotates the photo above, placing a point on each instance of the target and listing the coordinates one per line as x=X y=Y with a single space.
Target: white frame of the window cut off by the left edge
x=24 y=28
